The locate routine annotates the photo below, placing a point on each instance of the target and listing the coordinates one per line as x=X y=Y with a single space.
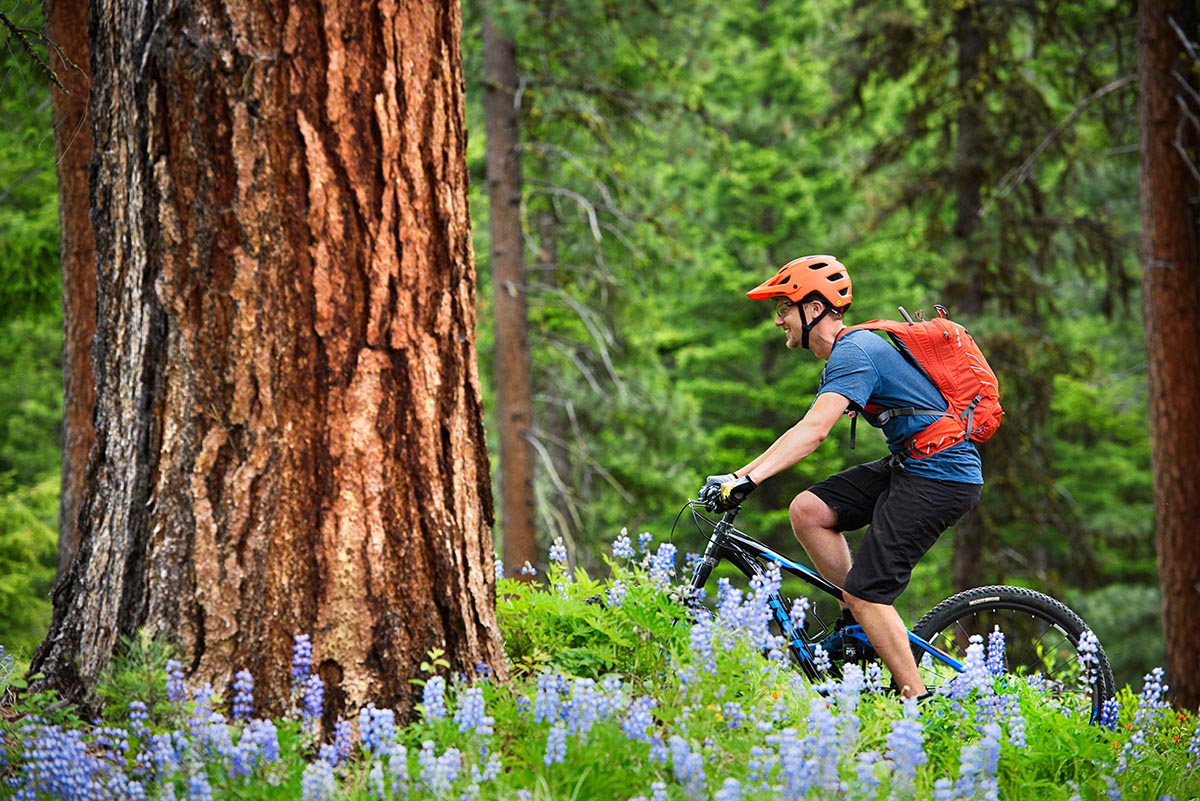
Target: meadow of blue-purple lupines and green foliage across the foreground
x=617 y=694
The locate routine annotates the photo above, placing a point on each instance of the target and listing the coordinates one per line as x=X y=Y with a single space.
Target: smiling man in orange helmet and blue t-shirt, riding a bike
x=905 y=502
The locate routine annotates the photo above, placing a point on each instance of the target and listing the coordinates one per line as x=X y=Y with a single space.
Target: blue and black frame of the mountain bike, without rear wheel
x=727 y=544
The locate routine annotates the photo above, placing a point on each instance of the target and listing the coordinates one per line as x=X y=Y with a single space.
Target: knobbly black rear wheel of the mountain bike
x=1042 y=643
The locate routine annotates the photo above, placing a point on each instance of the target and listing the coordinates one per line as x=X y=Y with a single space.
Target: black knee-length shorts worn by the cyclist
x=907 y=515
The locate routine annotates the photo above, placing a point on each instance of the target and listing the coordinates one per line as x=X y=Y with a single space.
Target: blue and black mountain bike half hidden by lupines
x=1045 y=641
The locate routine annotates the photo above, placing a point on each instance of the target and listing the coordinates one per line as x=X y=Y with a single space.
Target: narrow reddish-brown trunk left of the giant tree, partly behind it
x=67 y=25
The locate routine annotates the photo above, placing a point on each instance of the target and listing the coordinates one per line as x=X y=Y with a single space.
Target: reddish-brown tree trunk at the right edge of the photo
x=1172 y=287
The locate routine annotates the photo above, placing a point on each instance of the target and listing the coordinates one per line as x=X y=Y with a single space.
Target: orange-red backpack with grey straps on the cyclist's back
x=949 y=357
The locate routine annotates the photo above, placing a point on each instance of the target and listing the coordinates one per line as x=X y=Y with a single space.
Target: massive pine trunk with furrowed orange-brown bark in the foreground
x=289 y=425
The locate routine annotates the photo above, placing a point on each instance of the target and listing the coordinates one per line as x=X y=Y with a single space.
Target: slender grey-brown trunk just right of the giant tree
x=514 y=383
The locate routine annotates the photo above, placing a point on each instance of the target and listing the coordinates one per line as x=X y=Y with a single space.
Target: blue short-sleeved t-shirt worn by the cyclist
x=867 y=369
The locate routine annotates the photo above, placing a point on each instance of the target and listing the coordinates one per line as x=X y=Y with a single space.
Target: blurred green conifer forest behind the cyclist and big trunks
x=673 y=155
